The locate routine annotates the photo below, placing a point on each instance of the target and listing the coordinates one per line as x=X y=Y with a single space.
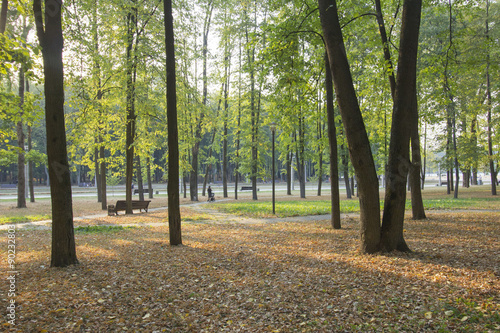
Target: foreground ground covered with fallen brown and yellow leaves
x=248 y=276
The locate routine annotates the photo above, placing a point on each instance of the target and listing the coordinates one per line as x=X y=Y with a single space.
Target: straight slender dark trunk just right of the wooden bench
x=174 y=214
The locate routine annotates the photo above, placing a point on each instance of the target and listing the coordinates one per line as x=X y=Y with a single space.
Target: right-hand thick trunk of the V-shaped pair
x=404 y=108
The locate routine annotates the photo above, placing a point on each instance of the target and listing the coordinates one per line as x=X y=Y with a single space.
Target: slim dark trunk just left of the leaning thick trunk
x=332 y=138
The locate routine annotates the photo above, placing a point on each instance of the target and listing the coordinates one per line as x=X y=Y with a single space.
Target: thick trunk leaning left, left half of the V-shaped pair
x=359 y=145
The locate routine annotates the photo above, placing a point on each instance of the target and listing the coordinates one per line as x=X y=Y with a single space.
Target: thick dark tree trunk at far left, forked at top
x=49 y=32
